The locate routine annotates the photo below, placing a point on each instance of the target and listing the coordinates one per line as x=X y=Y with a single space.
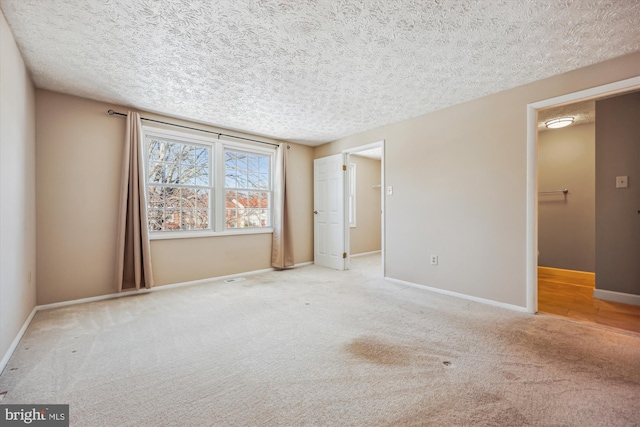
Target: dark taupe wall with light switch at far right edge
x=618 y=209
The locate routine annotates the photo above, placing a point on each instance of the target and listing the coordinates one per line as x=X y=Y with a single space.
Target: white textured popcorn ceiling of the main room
x=310 y=71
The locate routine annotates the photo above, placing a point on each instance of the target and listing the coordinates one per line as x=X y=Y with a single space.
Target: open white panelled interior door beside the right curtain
x=329 y=214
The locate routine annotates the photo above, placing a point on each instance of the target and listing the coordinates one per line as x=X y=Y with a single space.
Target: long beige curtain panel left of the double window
x=133 y=269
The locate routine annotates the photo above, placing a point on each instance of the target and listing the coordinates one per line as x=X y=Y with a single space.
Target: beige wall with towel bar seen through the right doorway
x=567 y=224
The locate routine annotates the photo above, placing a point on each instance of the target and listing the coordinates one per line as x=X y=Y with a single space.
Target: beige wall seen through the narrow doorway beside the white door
x=366 y=236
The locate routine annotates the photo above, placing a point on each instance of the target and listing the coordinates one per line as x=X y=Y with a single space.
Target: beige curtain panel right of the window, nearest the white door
x=282 y=249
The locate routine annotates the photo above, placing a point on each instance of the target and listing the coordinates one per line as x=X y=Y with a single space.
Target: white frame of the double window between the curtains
x=217 y=185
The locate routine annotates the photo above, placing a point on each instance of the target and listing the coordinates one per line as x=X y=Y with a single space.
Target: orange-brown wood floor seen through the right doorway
x=569 y=294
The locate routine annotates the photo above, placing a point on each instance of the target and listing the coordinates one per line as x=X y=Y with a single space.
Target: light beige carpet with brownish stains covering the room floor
x=312 y=346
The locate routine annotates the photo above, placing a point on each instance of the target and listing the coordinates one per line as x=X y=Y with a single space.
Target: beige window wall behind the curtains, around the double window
x=78 y=158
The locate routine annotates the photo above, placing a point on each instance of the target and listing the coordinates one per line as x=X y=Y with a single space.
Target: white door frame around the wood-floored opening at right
x=614 y=88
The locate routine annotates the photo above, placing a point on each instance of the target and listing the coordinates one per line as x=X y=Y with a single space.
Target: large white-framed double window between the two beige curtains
x=203 y=186
